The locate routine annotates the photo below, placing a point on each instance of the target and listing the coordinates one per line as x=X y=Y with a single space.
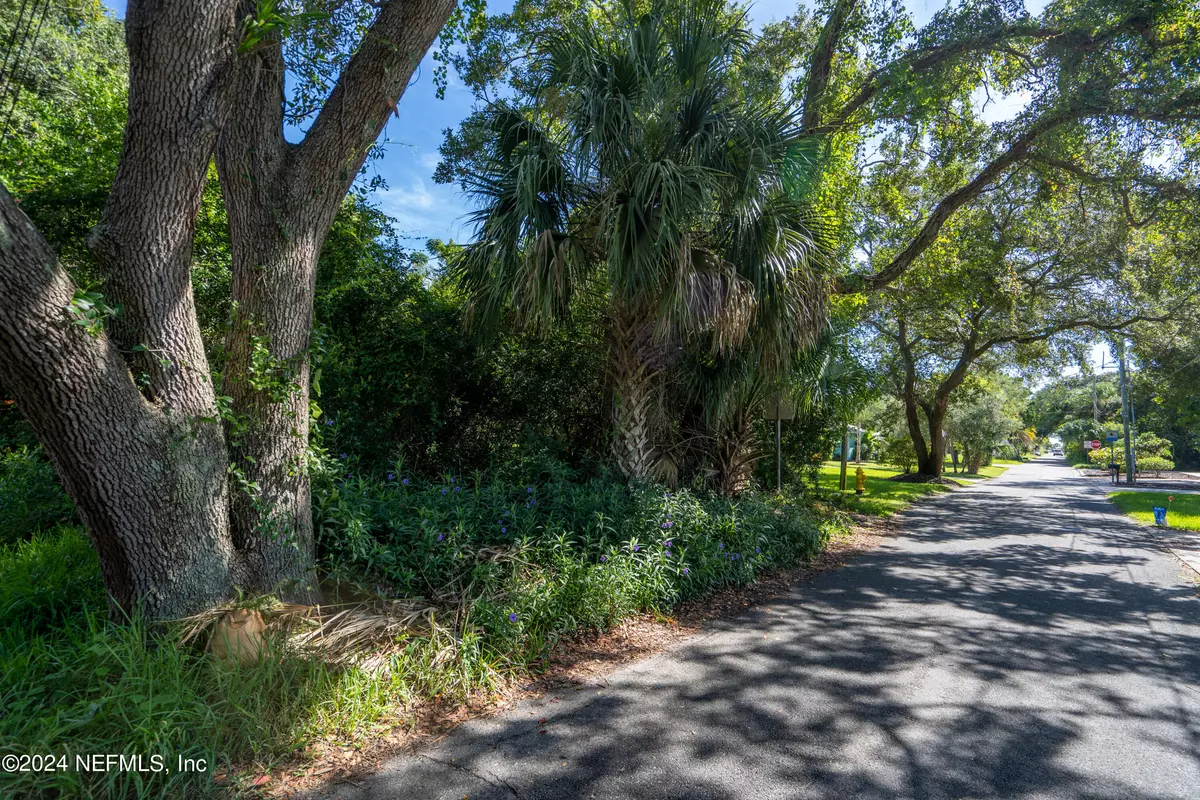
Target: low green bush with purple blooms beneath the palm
x=533 y=552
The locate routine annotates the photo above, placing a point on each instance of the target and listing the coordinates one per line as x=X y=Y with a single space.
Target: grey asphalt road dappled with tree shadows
x=1022 y=640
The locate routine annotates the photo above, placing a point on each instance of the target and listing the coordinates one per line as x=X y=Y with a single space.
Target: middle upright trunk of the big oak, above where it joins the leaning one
x=181 y=87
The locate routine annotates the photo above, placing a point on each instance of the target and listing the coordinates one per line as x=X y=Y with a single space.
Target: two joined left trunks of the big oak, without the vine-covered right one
x=129 y=414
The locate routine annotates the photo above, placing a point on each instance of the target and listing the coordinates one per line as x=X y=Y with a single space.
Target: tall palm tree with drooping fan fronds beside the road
x=641 y=175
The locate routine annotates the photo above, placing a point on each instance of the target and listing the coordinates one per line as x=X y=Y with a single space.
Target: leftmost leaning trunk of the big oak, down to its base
x=147 y=480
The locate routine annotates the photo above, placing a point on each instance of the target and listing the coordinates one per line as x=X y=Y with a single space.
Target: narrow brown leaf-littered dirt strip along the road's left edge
x=578 y=661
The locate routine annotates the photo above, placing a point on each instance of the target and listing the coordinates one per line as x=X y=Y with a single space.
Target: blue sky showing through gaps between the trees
x=424 y=209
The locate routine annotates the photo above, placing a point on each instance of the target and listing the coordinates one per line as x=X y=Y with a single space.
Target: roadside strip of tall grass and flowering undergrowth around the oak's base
x=518 y=558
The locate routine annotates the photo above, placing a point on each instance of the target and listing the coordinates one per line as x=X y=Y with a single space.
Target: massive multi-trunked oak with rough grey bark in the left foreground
x=129 y=414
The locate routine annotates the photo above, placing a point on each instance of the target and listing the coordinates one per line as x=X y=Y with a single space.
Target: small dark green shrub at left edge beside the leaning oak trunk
x=32 y=498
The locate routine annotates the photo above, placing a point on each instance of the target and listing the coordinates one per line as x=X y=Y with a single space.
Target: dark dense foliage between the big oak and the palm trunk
x=400 y=376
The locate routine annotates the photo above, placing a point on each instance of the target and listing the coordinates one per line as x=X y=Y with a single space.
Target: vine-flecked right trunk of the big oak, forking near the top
x=281 y=200
